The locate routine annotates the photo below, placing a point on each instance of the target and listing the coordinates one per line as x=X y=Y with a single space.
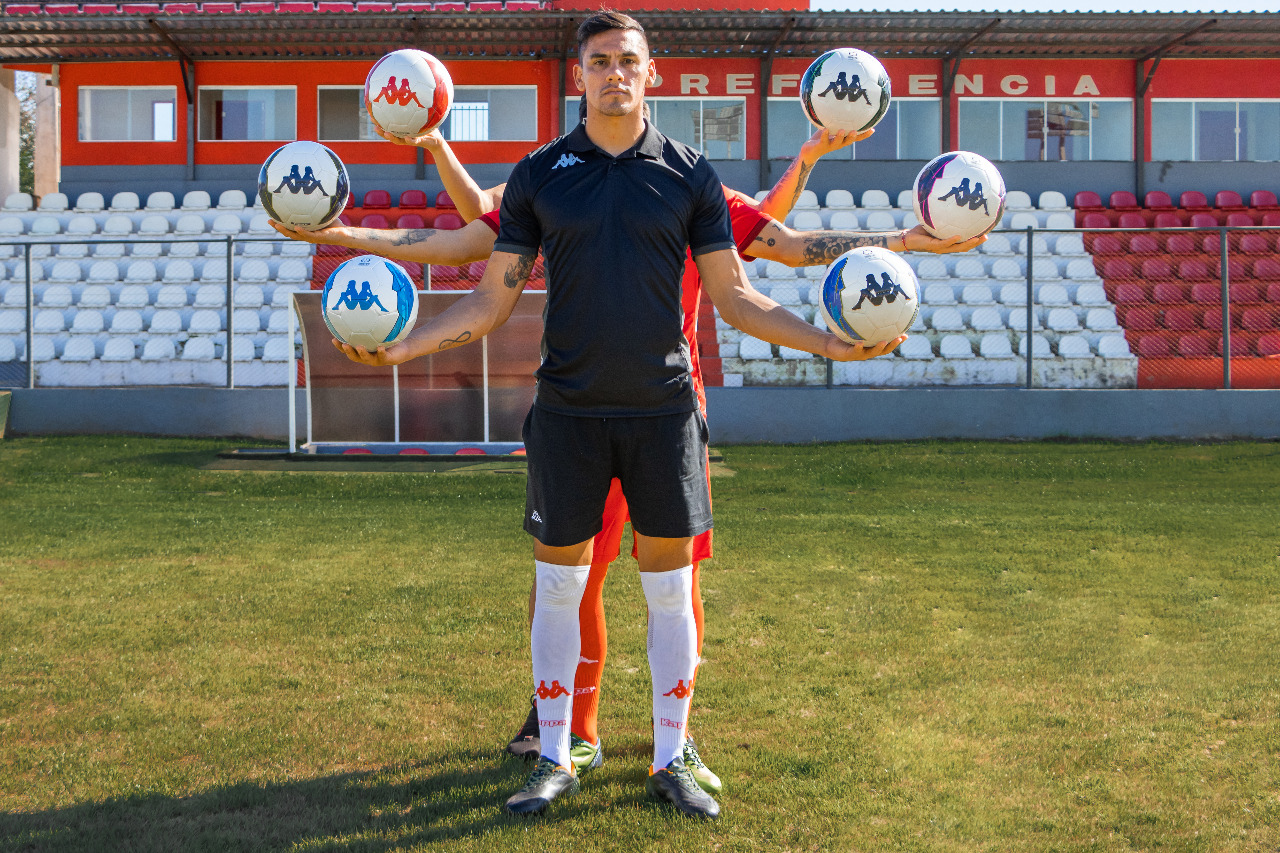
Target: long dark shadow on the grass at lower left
x=388 y=809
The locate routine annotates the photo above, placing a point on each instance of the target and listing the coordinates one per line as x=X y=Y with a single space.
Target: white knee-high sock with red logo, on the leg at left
x=556 y=646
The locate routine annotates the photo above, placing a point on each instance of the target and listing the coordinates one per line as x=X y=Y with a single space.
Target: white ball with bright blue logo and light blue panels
x=371 y=303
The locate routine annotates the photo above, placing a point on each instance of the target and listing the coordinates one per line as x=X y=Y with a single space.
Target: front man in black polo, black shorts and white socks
x=614 y=207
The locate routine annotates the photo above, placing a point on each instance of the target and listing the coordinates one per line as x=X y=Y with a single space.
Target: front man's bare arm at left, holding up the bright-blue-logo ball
x=465 y=322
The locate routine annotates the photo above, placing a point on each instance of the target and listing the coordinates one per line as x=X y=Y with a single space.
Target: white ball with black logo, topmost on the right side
x=845 y=90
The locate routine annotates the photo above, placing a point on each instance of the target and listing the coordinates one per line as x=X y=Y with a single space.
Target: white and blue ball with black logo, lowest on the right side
x=870 y=295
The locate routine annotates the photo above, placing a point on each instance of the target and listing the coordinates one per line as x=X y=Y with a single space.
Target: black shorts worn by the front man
x=661 y=462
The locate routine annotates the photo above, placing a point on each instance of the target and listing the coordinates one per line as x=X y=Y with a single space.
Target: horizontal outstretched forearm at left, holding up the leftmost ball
x=423 y=245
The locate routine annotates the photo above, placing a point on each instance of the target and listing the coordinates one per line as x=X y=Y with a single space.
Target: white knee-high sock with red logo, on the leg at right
x=673 y=658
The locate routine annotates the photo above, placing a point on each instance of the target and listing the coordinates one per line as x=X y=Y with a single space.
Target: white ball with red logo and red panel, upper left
x=409 y=93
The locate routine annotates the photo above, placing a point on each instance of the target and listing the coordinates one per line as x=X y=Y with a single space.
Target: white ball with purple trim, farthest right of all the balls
x=959 y=194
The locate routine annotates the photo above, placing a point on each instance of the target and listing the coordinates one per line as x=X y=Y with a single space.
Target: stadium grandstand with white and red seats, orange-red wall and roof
x=1140 y=248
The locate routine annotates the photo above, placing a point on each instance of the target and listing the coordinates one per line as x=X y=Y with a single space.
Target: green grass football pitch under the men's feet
x=909 y=647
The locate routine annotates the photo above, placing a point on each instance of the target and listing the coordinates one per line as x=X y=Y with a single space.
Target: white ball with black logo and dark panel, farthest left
x=304 y=185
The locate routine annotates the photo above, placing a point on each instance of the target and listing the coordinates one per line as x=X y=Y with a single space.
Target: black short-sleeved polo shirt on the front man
x=614 y=234
